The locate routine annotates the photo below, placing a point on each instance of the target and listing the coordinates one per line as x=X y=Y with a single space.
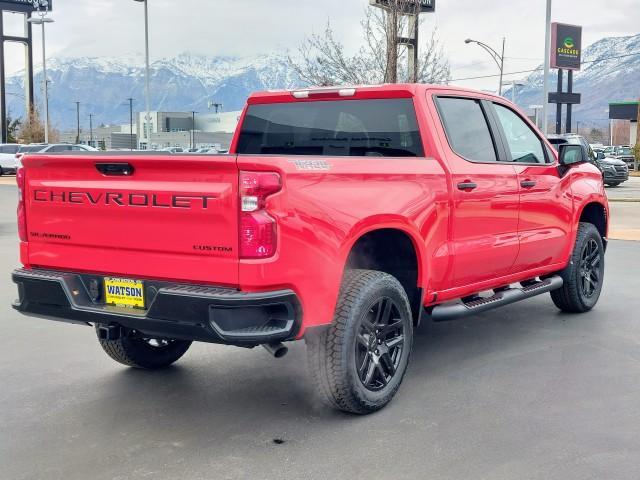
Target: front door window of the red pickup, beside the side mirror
x=524 y=144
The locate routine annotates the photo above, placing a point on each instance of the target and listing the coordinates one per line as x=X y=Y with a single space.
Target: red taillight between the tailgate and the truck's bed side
x=258 y=234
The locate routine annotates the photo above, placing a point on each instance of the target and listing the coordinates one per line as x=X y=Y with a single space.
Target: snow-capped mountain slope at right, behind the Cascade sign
x=610 y=72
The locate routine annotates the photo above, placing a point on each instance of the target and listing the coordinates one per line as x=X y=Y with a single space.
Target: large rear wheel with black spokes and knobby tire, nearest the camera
x=358 y=363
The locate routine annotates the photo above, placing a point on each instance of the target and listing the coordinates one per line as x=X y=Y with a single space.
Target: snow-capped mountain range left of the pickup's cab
x=183 y=83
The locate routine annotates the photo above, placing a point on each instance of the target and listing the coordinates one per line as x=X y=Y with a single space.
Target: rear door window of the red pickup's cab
x=467 y=128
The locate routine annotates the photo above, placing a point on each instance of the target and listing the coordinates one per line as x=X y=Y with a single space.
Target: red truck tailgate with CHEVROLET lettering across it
x=171 y=217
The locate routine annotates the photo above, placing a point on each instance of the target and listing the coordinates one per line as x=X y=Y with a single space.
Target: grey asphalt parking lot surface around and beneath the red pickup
x=524 y=392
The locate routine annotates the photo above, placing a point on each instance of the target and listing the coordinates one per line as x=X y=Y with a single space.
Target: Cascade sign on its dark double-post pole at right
x=566 y=51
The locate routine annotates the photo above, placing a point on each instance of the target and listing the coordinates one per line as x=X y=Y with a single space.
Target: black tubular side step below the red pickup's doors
x=451 y=311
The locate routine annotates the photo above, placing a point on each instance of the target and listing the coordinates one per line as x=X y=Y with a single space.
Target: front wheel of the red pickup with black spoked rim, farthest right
x=584 y=275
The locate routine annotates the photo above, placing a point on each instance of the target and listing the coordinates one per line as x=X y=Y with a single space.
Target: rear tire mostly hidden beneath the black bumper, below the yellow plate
x=149 y=354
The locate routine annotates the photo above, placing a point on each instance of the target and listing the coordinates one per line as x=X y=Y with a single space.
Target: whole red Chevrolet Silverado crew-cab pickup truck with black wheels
x=341 y=216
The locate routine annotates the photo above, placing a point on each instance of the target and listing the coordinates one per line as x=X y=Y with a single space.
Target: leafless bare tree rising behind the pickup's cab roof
x=321 y=59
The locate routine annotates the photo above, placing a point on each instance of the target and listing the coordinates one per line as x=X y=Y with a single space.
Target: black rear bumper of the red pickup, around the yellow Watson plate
x=187 y=312
